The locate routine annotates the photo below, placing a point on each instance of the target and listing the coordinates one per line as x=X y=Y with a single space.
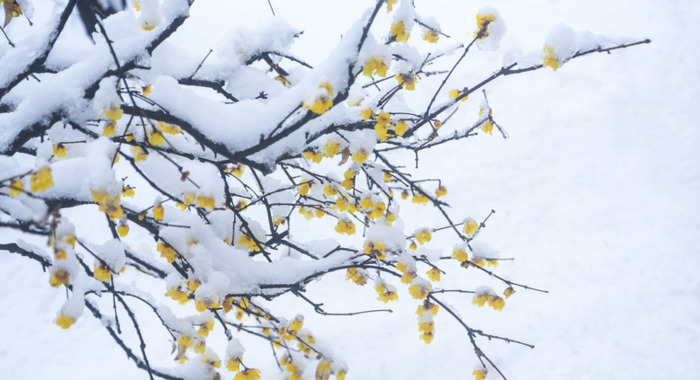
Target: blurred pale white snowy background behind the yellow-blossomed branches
x=596 y=196
